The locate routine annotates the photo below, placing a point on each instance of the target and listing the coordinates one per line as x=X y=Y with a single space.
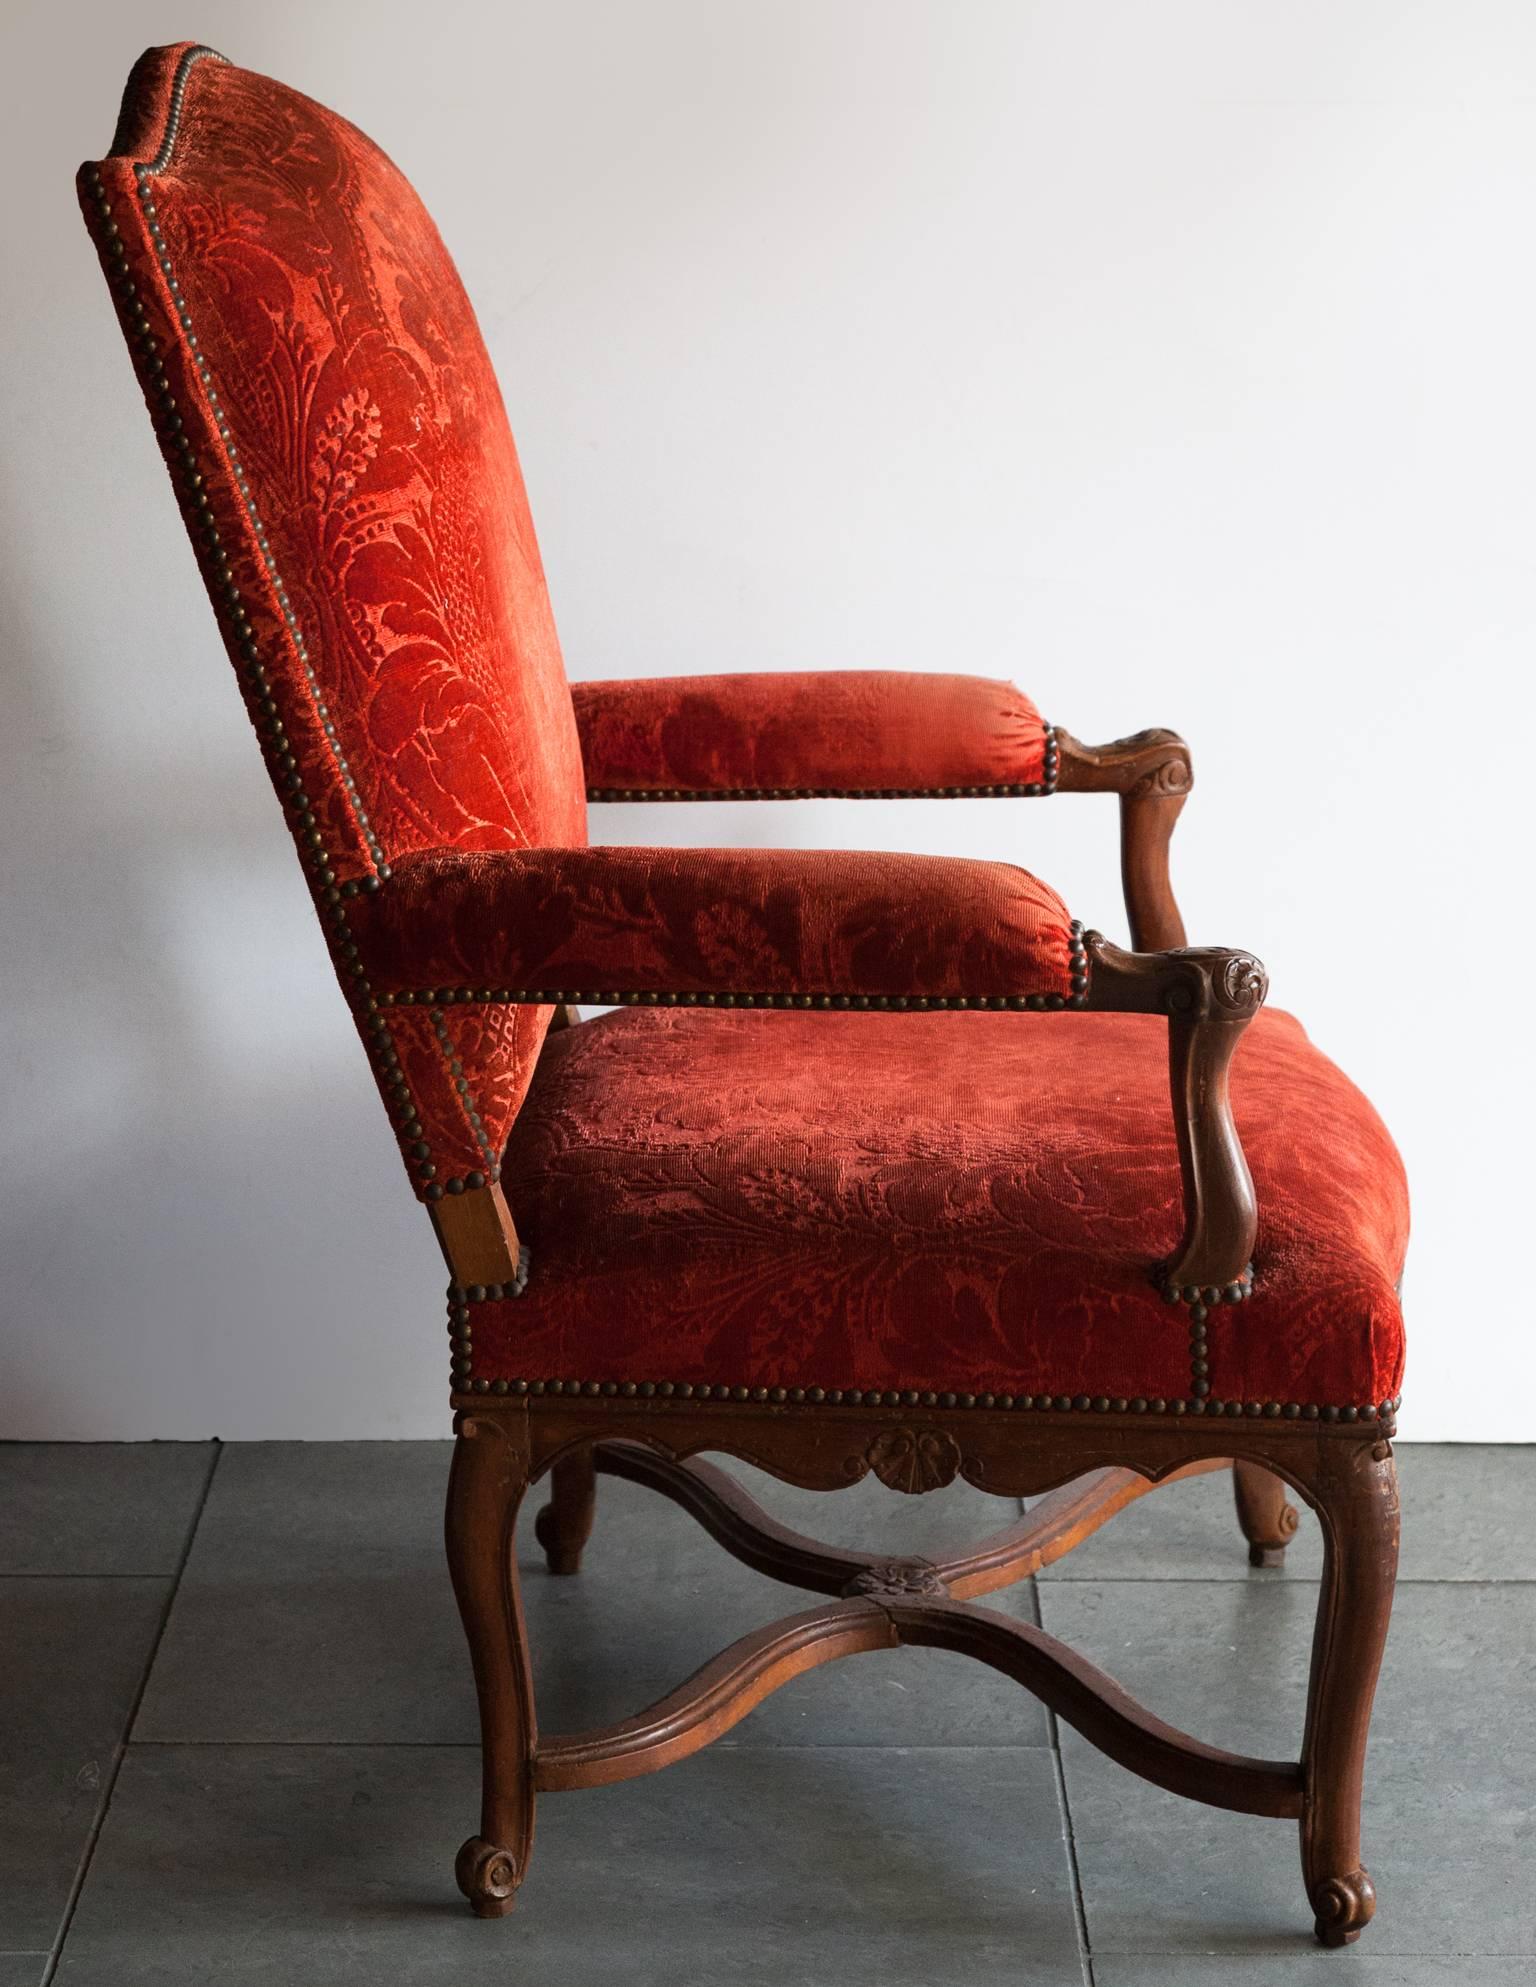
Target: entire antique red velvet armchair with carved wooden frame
x=877 y=1165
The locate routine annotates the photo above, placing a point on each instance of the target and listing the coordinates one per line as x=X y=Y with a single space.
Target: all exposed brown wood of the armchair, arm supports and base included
x=1090 y=1463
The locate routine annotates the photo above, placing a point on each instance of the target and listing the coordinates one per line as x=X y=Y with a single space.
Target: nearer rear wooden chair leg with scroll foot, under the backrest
x=486 y=1489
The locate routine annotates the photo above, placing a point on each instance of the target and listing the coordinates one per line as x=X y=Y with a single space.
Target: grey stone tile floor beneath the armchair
x=239 y=1746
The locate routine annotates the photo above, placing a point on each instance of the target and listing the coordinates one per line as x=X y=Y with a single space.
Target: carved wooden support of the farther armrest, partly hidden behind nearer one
x=1152 y=774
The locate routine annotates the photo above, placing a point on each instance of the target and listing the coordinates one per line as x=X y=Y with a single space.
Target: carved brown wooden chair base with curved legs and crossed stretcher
x=1346 y=1473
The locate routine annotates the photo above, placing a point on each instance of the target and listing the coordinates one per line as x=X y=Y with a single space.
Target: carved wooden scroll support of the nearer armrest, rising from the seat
x=1209 y=996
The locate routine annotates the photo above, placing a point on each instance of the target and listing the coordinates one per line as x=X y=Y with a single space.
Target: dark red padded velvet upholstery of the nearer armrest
x=764 y=927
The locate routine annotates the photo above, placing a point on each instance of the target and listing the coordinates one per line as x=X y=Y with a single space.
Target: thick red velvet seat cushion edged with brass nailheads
x=961 y=1205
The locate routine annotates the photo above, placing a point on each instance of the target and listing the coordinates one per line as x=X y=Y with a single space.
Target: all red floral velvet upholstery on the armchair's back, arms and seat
x=959 y=1205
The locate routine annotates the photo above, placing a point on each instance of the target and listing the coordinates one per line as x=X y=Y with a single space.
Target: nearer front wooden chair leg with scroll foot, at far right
x=1358 y=1507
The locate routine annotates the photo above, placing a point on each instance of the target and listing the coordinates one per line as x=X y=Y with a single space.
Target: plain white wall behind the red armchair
x=1175 y=359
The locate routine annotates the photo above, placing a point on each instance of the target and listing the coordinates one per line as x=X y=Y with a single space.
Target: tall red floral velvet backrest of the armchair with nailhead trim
x=345 y=466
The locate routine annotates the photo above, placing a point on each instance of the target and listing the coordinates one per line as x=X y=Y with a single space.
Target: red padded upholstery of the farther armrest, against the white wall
x=842 y=730
